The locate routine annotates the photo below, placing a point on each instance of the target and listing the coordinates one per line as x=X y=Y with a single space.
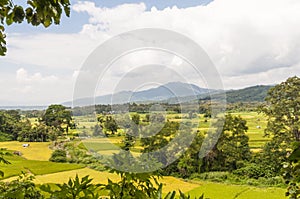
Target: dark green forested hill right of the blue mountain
x=249 y=94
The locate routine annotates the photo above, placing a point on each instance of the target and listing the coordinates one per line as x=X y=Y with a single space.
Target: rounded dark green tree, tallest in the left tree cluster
x=57 y=116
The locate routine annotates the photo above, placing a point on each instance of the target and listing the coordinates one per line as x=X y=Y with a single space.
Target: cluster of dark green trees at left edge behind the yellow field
x=53 y=122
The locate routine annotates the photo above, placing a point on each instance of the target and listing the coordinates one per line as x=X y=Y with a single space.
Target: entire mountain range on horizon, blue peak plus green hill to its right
x=173 y=92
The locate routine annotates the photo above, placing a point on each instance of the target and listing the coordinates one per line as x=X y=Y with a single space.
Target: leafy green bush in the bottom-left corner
x=21 y=188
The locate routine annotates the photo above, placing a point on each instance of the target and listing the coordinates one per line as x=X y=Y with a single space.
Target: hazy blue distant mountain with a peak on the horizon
x=161 y=93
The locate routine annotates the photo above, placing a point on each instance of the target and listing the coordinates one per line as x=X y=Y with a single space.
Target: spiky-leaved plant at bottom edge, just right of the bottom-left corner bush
x=74 y=189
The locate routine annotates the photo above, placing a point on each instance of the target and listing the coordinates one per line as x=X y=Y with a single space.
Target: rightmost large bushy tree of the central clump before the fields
x=232 y=147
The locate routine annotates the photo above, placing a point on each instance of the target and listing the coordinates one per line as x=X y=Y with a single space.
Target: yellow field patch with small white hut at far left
x=36 y=150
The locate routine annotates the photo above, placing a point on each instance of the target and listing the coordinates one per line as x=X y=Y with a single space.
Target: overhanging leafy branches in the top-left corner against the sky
x=37 y=12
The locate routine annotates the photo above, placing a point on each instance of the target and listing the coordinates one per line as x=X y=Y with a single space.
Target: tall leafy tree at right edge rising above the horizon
x=282 y=109
